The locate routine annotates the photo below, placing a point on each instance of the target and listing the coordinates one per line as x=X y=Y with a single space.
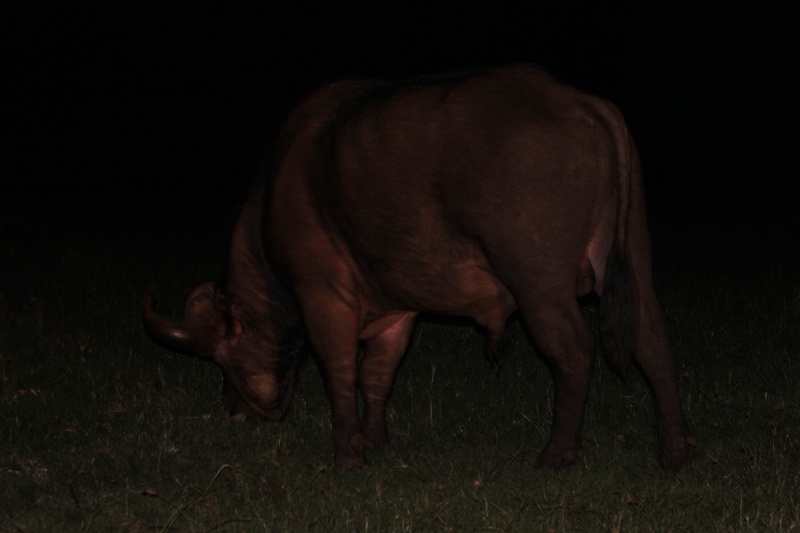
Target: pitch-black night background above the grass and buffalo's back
x=118 y=109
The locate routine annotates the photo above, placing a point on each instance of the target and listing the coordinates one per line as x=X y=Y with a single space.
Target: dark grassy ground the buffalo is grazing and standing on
x=101 y=430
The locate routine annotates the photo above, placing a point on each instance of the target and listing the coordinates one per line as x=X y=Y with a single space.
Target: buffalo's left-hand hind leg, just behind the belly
x=567 y=342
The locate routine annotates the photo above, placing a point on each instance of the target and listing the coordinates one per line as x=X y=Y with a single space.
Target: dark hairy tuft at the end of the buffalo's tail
x=618 y=312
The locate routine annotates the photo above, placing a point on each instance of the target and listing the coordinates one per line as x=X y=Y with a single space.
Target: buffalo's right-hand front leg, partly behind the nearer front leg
x=376 y=375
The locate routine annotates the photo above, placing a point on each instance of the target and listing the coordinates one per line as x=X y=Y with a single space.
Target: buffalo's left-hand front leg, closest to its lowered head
x=333 y=332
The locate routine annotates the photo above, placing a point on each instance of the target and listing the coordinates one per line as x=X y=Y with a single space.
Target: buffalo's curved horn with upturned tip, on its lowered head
x=197 y=335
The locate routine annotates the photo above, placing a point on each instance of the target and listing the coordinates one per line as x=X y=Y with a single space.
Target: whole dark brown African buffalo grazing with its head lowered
x=469 y=194
